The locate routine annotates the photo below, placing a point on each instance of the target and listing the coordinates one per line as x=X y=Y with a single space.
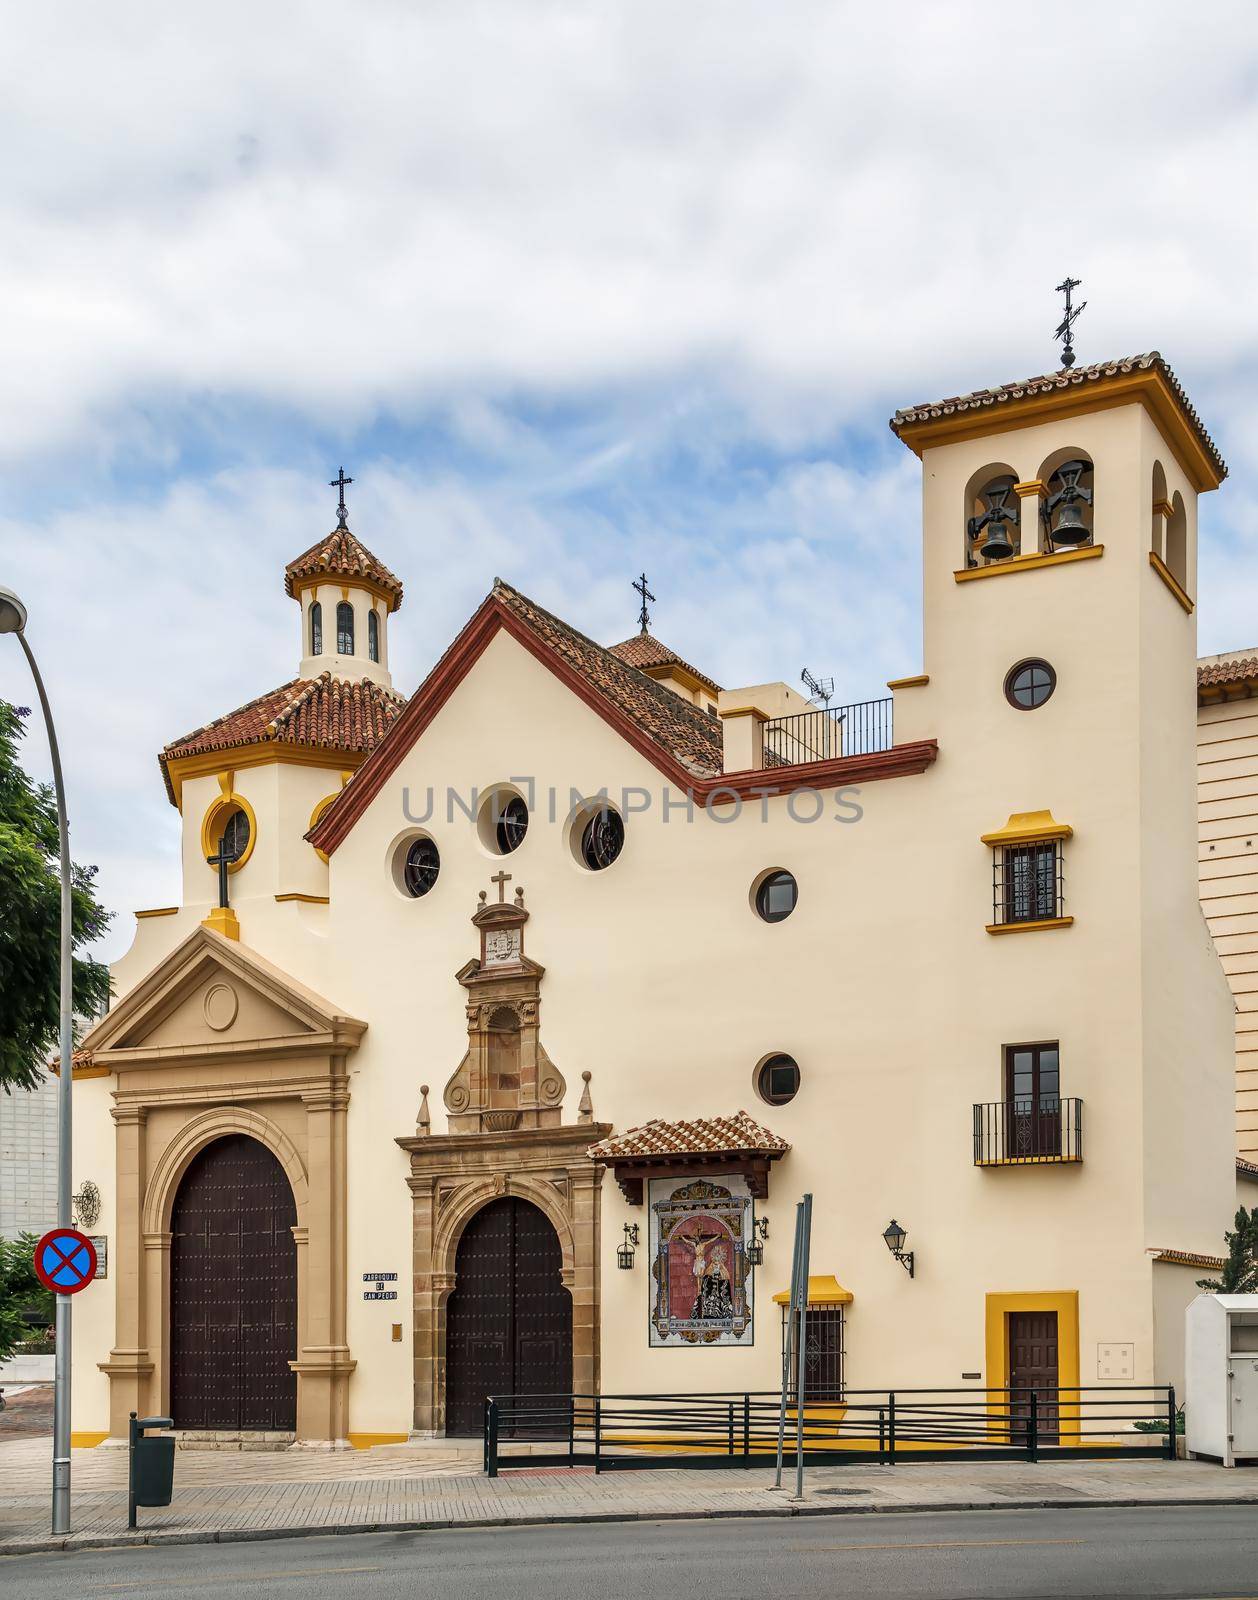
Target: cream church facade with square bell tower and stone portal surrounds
x=886 y=985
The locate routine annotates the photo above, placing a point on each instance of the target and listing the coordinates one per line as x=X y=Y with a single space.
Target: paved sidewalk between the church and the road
x=223 y=1497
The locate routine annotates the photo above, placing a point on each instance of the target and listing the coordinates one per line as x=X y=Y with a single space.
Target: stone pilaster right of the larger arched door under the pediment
x=324 y=1362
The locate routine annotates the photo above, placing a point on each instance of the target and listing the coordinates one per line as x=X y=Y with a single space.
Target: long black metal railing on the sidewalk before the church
x=740 y=1430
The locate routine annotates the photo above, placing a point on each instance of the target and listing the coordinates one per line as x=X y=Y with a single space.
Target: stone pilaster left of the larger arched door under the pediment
x=130 y=1364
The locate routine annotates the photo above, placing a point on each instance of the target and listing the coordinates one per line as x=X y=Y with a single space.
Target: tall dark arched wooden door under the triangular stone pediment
x=234 y=1292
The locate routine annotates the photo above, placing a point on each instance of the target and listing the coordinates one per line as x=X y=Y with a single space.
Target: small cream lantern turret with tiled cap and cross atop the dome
x=347 y=599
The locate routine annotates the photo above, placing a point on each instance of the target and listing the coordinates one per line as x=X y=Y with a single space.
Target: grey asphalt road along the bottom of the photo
x=1174 y=1551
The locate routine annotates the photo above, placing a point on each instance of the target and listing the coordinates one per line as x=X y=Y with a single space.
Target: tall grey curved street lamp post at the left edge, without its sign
x=14 y=622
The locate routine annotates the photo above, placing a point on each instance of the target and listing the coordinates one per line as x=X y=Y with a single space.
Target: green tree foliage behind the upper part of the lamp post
x=31 y=919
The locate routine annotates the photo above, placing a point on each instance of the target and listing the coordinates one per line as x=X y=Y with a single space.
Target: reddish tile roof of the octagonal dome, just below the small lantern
x=323 y=713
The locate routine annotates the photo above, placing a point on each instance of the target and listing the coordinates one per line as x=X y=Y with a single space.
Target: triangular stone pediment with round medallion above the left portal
x=212 y=999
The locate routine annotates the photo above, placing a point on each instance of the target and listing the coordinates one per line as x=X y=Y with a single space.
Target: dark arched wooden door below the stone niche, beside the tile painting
x=510 y=1321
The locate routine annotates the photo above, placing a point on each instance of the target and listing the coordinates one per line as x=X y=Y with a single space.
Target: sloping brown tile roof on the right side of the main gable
x=686 y=732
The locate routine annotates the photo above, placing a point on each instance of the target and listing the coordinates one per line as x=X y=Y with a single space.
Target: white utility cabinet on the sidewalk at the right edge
x=1222 y=1377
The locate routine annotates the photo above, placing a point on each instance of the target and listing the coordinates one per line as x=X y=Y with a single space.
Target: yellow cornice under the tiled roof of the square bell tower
x=1147 y=388
